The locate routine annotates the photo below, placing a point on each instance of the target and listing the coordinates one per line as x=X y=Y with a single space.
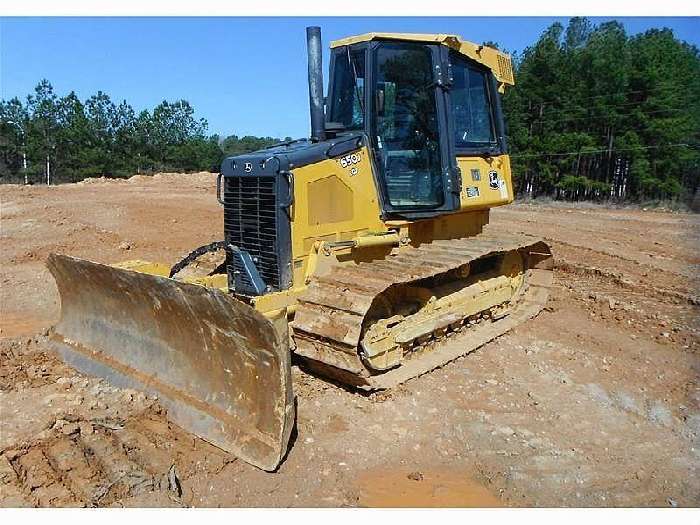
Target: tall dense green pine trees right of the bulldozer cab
x=599 y=114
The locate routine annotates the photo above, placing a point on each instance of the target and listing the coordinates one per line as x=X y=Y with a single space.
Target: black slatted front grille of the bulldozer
x=250 y=223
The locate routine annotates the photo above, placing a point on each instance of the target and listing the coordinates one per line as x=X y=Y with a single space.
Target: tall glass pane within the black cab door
x=407 y=140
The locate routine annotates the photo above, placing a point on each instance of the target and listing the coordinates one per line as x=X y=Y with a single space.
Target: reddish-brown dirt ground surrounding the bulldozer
x=593 y=403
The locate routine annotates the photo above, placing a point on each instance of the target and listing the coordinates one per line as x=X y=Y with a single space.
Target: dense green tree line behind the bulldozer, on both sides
x=595 y=114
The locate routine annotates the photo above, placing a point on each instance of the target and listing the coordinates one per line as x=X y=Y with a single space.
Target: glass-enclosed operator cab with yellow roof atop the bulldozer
x=421 y=104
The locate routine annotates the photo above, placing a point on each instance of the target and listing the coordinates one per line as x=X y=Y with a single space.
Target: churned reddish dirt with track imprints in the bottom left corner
x=106 y=462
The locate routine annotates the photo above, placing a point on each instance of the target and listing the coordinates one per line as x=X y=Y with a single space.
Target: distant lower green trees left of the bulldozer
x=73 y=140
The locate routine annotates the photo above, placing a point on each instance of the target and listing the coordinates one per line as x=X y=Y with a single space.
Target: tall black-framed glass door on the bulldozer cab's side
x=408 y=130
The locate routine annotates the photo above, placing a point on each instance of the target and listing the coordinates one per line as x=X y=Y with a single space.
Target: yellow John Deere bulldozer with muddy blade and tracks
x=363 y=252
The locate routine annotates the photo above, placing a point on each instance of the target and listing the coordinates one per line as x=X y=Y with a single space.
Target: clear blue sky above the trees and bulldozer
x=244 y=75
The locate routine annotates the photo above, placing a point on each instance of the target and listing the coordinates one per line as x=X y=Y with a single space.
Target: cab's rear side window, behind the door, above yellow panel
x=471 y=106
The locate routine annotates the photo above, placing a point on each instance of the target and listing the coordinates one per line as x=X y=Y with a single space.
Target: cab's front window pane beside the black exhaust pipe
x=346 y=105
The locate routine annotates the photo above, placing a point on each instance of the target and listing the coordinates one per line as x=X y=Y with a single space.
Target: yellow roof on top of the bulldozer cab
x=500 y=63
